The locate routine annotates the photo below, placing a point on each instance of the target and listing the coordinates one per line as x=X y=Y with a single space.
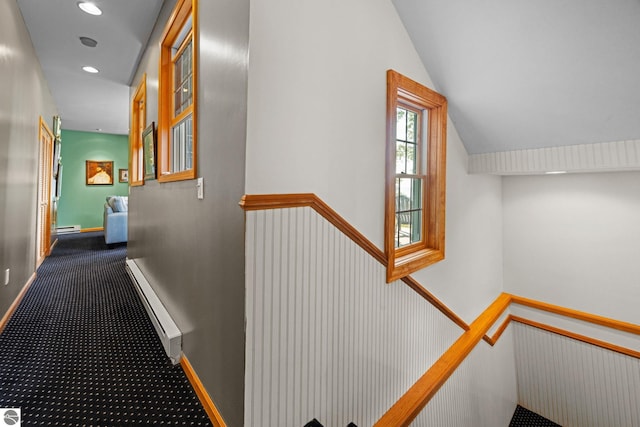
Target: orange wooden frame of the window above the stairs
x=402 y=91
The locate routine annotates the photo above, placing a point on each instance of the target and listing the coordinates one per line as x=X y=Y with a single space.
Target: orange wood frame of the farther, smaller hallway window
x=136 y=154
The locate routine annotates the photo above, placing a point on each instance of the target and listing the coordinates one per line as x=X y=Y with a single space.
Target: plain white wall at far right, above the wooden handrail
x=574 y=241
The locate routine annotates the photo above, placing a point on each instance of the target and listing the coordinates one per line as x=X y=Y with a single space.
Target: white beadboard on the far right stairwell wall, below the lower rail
x=573 y=383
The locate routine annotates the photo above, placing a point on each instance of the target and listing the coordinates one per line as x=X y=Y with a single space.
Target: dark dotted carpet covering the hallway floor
x=80 y=350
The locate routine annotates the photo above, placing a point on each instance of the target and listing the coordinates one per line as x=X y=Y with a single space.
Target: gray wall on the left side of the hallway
x=24 y=97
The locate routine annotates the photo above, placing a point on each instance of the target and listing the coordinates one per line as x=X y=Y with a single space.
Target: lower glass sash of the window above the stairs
x=408 y=211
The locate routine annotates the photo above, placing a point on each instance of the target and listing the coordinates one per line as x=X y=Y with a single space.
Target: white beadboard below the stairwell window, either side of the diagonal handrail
x=327 y=338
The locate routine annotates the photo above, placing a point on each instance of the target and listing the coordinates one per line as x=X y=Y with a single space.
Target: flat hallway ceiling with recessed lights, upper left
x=85 y=101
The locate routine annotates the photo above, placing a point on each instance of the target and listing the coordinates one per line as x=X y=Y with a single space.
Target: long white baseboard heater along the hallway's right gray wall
x=167 y=330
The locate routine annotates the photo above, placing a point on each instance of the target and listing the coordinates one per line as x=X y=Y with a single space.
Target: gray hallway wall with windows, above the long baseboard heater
x=190 y=250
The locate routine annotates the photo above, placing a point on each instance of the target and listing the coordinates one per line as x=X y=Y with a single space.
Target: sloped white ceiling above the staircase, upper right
x=523 y=74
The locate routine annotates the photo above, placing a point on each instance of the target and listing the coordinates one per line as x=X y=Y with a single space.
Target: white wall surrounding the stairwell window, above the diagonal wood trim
x=316 y=123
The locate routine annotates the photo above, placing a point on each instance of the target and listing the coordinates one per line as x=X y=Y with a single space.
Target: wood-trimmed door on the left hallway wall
x=45 y=164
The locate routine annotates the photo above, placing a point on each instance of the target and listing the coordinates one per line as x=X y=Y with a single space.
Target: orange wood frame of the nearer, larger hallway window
x=183 y=11
